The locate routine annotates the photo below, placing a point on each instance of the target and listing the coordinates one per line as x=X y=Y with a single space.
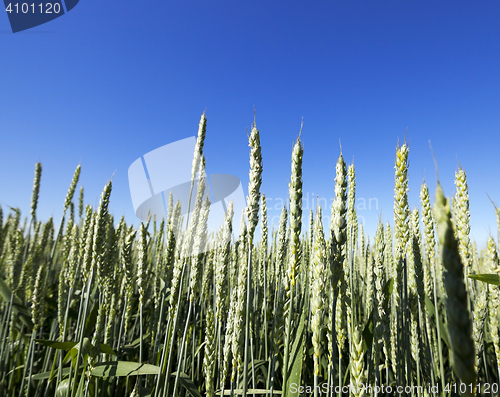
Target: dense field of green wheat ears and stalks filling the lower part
x=90 y=309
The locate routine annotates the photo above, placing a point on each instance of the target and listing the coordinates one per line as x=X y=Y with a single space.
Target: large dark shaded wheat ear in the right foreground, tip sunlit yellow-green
x=457 y=310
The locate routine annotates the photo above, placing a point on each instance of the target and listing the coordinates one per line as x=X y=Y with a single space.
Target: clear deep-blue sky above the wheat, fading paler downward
x=111 y=81
